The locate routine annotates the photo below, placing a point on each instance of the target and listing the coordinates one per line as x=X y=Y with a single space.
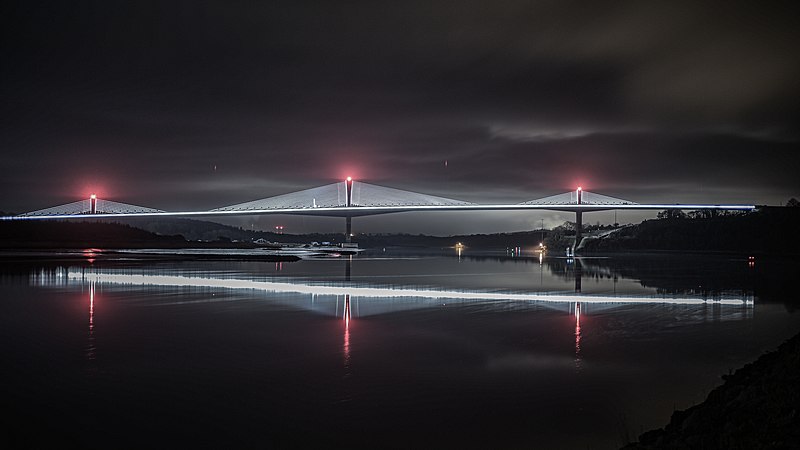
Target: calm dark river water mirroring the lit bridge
x=386 y=350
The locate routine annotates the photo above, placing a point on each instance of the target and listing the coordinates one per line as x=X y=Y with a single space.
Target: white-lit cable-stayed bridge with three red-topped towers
x=350 y=198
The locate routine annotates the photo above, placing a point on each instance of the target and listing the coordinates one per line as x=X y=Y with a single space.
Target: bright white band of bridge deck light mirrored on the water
x=402 y=297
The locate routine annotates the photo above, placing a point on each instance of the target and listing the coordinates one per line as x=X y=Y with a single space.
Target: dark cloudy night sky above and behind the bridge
x=195 y=105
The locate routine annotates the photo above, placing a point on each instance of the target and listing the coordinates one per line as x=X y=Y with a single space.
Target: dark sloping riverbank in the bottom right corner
x=756 y=407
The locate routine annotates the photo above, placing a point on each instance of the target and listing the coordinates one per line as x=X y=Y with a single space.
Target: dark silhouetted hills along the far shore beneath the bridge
x=767 y=231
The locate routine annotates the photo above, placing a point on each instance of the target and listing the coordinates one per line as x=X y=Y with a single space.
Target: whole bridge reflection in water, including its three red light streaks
x=347 y=300
